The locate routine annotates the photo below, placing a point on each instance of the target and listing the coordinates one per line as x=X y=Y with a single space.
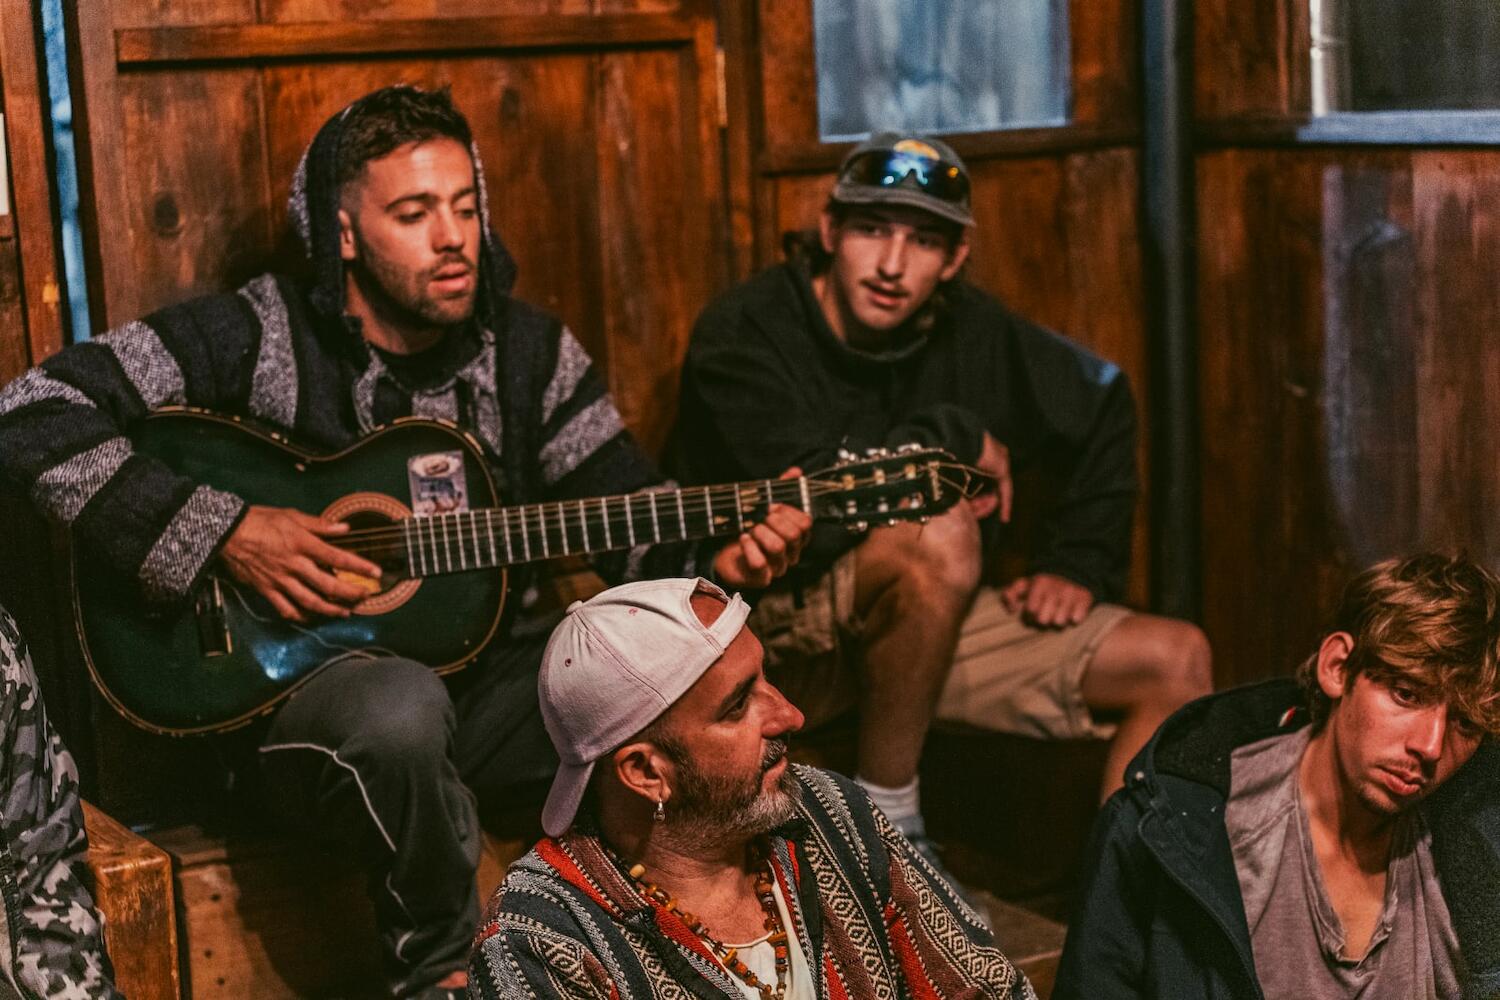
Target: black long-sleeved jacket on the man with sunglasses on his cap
x=767 y=385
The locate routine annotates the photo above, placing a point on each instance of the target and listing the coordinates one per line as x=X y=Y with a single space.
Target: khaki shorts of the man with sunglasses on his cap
x=1007 y=677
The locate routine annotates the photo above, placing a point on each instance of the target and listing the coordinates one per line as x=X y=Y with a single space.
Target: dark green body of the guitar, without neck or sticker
x=227 y=657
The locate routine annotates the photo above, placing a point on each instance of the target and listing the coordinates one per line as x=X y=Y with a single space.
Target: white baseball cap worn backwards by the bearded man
x=614 y=665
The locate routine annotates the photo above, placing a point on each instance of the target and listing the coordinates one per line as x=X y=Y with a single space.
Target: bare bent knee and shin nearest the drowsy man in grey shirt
x=1145 y=669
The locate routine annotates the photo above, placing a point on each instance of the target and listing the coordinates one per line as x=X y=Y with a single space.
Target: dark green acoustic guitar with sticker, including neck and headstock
x=428 y=513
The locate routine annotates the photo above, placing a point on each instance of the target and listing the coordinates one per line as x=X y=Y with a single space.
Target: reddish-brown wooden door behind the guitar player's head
x=598 y=122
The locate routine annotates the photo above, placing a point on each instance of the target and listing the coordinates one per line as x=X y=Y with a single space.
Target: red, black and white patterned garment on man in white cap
x=872 y=918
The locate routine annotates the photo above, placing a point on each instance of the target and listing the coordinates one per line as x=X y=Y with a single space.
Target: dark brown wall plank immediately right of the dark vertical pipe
x=1261 y=320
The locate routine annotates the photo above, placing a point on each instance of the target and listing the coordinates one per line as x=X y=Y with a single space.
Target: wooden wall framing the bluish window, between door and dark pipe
x=1058 y=229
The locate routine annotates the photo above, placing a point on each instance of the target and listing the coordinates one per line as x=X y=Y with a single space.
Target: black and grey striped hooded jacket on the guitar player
x=283 y=352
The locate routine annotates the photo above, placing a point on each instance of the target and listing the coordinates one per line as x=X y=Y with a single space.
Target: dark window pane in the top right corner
x=1408 y=55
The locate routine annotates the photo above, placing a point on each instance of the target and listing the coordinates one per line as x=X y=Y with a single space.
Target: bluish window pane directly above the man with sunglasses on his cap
x=952 y=67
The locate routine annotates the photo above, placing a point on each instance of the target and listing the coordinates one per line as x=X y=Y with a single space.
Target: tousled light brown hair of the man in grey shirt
x=1430 y=621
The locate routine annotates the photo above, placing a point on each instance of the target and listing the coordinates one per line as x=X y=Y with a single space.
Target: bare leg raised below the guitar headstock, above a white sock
x=914 y=585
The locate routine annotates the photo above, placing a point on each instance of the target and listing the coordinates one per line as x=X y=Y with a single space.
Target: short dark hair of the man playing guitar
x=392 y=118
